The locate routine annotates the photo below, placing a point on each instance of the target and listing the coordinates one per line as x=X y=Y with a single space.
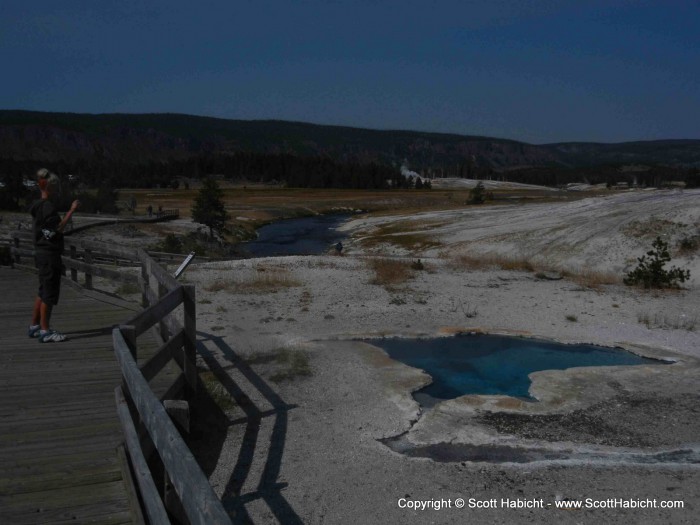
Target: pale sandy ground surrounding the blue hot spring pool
x=307 y=448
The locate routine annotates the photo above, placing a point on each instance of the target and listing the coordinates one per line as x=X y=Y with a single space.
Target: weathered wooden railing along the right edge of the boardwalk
x=183 y=493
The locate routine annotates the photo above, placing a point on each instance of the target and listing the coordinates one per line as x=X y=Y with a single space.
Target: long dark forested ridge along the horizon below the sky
x=141 y=138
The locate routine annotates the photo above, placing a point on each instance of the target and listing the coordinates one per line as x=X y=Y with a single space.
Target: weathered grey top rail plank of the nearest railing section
x=198 y=499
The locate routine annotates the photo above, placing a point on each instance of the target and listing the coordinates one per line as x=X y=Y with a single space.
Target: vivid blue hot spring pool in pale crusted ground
x=494 y=364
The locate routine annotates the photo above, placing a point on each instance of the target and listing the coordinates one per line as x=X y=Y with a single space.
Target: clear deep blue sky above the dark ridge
x=538 y=71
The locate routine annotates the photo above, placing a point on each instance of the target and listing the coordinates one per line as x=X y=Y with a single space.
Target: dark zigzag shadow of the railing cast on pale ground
x=268 y=489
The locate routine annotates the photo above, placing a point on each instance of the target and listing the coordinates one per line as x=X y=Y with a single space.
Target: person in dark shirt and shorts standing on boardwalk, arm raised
x=48 y=228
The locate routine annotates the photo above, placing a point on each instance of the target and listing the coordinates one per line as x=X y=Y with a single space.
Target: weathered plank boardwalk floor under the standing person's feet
x=59 y=429
